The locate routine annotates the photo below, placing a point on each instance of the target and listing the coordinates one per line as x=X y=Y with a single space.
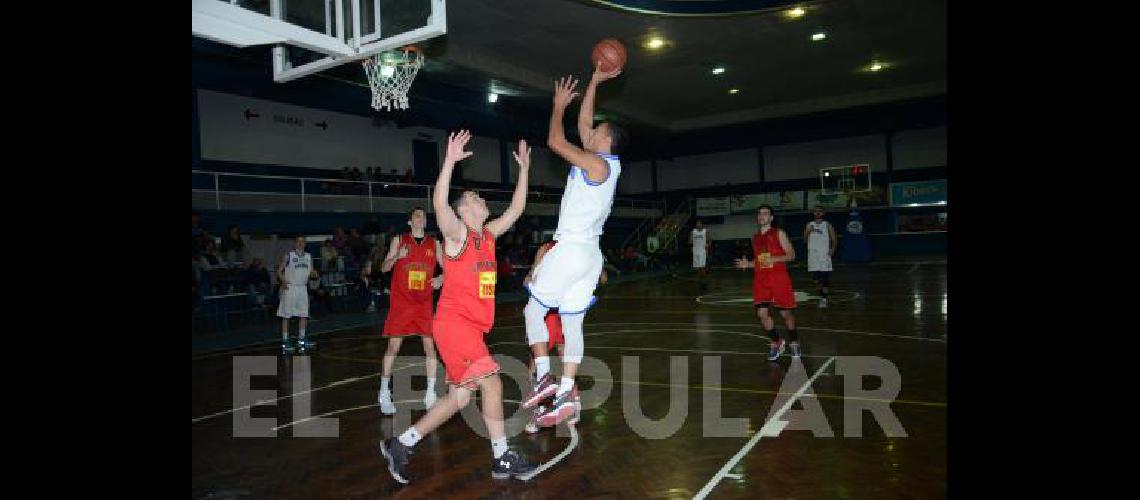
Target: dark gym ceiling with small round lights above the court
x=779 y=71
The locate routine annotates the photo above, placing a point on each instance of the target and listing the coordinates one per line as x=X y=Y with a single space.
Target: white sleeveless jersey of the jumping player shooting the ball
x=585 y=204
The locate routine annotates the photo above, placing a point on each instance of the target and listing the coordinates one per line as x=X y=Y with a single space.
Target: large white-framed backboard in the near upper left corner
x=313 y=36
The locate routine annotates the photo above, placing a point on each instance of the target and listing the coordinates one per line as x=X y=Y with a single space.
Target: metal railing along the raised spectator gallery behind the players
x=257 y=192
